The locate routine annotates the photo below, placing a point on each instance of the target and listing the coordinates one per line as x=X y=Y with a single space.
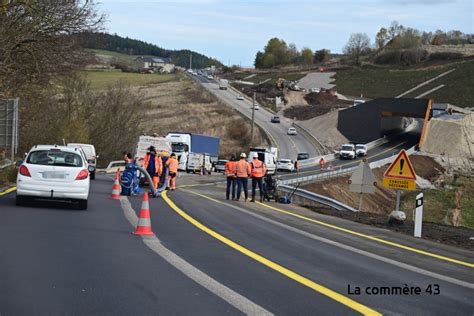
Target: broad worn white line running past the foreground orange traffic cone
x=233 y=298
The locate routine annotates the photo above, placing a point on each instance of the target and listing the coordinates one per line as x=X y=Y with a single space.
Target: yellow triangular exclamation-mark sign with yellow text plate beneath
x=400 y=175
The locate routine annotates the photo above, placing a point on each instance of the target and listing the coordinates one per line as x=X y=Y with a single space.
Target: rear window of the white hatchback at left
x=54 y=158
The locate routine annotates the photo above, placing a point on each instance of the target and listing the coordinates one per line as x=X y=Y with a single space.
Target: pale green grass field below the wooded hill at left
x=100 y=80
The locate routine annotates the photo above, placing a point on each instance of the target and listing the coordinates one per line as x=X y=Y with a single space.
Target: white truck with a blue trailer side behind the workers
x=184 y=143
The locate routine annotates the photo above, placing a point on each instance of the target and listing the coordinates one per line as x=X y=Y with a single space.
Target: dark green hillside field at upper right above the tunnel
x=374 y=82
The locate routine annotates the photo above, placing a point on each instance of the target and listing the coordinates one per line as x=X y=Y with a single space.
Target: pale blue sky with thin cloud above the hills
x=233 y=31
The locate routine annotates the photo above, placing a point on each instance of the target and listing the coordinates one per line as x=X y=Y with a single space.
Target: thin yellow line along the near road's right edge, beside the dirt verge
x=383 y=241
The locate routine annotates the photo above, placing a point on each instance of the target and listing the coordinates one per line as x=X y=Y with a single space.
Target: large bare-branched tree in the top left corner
x=34 y=42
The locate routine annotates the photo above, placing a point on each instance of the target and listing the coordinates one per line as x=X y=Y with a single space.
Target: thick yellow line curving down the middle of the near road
x=272 y=265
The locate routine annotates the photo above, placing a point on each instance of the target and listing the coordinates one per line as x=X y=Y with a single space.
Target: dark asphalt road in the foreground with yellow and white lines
x=214 y=257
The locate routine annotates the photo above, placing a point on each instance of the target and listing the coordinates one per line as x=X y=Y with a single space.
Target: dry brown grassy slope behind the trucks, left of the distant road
x=184 y=106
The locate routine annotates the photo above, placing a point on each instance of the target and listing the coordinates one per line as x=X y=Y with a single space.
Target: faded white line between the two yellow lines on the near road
x=355 y=250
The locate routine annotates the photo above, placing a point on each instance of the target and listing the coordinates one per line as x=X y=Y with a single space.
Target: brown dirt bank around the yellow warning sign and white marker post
x=377 y=206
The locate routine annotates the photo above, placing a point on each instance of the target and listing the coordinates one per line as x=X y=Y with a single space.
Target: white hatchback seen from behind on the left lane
x=52 y=172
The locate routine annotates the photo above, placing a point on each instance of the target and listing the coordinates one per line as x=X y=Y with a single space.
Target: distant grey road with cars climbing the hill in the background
x=289 y=146
